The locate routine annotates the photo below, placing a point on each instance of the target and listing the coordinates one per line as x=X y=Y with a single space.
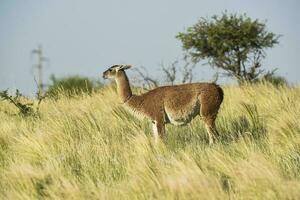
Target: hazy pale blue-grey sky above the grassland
x=86 y=37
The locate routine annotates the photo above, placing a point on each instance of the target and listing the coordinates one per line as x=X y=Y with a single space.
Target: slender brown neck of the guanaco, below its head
x=123 y=86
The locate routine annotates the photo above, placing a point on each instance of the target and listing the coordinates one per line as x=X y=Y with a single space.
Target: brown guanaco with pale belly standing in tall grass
x=177 y=104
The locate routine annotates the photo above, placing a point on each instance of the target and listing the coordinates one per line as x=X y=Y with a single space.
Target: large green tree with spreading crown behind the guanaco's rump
x=232 y=42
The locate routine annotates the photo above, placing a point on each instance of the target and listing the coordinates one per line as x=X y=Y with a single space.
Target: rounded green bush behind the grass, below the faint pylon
x=71 y=86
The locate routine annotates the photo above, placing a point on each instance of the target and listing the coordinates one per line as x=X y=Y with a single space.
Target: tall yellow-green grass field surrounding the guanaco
x=89 y=147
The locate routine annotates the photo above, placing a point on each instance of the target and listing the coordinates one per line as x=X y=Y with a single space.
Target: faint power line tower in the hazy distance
x=39 y=66
